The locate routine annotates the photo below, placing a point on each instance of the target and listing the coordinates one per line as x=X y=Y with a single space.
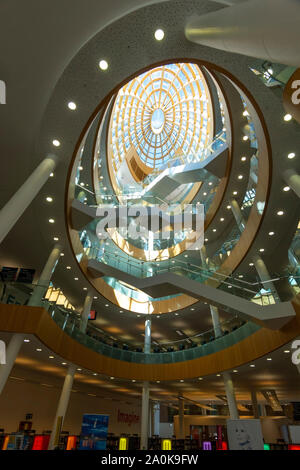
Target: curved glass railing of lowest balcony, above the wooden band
x=202 y=344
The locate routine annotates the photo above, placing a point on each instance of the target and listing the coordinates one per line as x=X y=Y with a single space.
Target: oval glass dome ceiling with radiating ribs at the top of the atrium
x=162 y=113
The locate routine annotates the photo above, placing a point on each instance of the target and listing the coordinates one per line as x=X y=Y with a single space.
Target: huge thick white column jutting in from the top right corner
x=243 y=29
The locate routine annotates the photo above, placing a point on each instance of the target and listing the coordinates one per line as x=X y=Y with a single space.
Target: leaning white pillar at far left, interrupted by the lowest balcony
x=35 y=299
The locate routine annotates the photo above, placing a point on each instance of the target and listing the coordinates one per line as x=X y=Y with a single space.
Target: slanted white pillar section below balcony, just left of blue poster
x=62 y=407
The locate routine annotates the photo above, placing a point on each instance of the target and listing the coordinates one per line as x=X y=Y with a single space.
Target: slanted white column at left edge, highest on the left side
x=19 y=202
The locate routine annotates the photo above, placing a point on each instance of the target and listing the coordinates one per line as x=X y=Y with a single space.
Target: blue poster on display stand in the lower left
x=93 y=432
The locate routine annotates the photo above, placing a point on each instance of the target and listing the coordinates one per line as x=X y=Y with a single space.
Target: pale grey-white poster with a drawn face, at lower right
x=245 y=434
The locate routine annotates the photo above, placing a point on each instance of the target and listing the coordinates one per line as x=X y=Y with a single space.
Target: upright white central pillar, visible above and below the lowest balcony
x=145 y=392
